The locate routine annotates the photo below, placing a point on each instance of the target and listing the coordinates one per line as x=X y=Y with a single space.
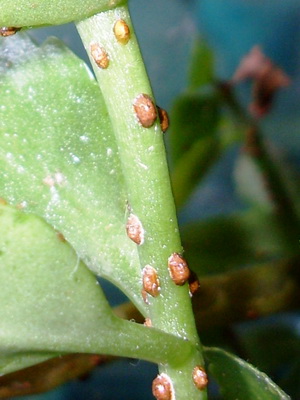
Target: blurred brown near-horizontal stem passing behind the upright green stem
x=241 y=295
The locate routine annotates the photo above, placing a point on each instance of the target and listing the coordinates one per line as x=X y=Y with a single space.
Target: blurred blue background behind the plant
x=166 y=32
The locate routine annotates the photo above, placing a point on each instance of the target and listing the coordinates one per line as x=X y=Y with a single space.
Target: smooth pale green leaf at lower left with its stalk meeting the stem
x=52 y=304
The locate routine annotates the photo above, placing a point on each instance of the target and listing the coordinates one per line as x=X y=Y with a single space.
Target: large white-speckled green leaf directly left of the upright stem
x=59 y=158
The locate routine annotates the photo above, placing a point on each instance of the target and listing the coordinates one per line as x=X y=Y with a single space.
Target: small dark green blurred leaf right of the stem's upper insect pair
x=194 y=116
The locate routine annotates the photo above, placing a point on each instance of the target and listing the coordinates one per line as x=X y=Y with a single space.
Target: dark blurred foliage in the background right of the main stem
x=238 y=251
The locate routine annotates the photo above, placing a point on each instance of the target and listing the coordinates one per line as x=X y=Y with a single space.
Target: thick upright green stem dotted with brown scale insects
x=122 y=78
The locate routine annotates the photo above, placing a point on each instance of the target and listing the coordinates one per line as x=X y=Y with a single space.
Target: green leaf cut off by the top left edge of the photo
x=20 y=13
